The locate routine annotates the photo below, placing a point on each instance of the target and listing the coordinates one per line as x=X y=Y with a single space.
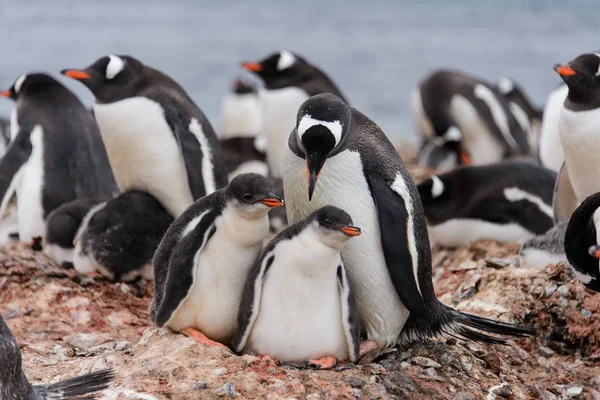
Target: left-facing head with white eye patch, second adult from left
x=111 y=78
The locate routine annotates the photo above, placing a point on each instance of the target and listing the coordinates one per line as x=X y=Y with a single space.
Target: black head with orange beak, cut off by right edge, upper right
x=582 y=76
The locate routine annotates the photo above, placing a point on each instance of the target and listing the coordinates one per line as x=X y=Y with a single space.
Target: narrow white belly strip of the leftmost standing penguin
x=29 y=187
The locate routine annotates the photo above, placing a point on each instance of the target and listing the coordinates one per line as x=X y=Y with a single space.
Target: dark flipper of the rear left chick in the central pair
x=177 y=255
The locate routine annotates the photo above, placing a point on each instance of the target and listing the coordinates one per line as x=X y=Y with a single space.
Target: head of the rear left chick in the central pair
x=252 y=195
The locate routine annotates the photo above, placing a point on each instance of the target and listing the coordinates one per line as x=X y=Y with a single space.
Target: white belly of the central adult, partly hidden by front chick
x=342 y=184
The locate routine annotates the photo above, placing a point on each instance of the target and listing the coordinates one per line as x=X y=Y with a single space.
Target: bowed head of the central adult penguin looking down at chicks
x=321 y=126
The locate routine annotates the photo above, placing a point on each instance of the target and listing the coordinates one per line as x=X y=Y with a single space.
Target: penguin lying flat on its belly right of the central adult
x=507 y=202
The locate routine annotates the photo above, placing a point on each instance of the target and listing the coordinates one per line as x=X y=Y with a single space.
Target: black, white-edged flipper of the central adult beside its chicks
x=398 y=240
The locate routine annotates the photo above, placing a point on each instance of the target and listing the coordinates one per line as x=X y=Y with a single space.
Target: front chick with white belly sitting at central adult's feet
x=297 y=303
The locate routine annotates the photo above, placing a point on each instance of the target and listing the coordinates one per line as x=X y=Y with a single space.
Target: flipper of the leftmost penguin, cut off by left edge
x=17 y=154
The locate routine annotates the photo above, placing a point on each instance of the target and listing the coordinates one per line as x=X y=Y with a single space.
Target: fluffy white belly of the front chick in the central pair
x=300 y=312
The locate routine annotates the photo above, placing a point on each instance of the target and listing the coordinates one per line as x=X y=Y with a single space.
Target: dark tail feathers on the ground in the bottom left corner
x=81 y=385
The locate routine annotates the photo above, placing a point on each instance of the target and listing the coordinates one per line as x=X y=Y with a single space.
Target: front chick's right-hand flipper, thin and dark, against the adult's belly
x=349 y=314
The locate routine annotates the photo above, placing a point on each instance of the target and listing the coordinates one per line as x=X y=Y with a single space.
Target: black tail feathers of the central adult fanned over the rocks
x=447 y=320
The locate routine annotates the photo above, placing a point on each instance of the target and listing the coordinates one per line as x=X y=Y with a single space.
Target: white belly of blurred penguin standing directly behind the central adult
x=279 y=109
